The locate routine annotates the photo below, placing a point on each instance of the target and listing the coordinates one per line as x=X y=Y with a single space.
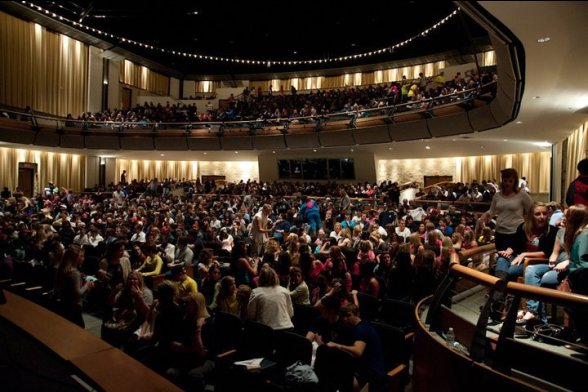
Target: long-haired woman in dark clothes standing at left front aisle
x=68 y=285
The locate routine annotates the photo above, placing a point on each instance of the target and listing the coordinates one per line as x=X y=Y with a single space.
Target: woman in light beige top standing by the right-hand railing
x=510 y=206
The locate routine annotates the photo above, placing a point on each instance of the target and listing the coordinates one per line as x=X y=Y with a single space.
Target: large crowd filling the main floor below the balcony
x=259 y=250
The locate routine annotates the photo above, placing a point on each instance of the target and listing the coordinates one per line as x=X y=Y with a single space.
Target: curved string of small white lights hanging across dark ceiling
x=269 y=63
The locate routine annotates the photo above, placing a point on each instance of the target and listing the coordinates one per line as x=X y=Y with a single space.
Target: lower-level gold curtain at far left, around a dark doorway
x=64 y=170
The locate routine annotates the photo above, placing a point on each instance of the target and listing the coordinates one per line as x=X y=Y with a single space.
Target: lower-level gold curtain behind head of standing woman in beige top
x=534 y=166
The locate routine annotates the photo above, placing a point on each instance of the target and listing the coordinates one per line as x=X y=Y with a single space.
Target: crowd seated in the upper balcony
x=252 y=105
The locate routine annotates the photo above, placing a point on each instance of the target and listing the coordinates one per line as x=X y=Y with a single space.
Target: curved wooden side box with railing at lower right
x=491 y=358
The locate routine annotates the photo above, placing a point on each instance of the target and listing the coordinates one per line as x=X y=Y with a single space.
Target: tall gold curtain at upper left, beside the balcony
x=41 y=69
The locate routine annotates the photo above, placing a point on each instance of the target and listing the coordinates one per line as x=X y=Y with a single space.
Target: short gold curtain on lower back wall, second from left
x=146 y=170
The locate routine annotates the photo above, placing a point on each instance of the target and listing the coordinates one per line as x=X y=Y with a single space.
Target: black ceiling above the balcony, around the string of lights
x=271 y=31
